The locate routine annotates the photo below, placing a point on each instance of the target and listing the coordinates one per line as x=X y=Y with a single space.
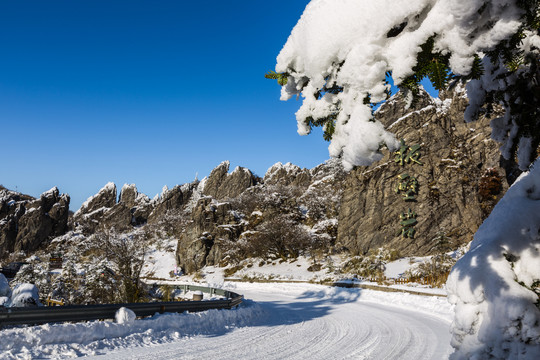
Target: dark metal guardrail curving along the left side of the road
x=48 y=314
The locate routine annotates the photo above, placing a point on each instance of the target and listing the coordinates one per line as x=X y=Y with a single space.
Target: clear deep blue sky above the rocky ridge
x=144 y=92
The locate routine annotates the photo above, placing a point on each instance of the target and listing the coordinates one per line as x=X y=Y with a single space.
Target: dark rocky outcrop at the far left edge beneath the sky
x=26 y=223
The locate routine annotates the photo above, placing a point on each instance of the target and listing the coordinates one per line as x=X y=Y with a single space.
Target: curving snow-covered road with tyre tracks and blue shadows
x=315 y=322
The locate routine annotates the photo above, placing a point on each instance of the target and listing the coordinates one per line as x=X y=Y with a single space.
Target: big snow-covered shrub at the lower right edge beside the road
x=493 y=285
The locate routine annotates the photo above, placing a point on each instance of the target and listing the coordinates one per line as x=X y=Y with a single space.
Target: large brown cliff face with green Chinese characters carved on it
x=447 y=173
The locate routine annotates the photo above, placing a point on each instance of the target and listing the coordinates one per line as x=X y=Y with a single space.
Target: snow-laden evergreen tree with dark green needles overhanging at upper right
x=493 y=46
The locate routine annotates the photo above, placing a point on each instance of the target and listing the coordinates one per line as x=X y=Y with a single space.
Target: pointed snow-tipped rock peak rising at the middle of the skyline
x=222 y=185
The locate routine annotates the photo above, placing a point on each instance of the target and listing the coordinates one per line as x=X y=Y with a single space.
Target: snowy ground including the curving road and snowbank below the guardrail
x=277 y=321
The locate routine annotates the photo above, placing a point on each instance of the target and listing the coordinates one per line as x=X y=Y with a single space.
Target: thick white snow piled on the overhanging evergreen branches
x=338 y=43
